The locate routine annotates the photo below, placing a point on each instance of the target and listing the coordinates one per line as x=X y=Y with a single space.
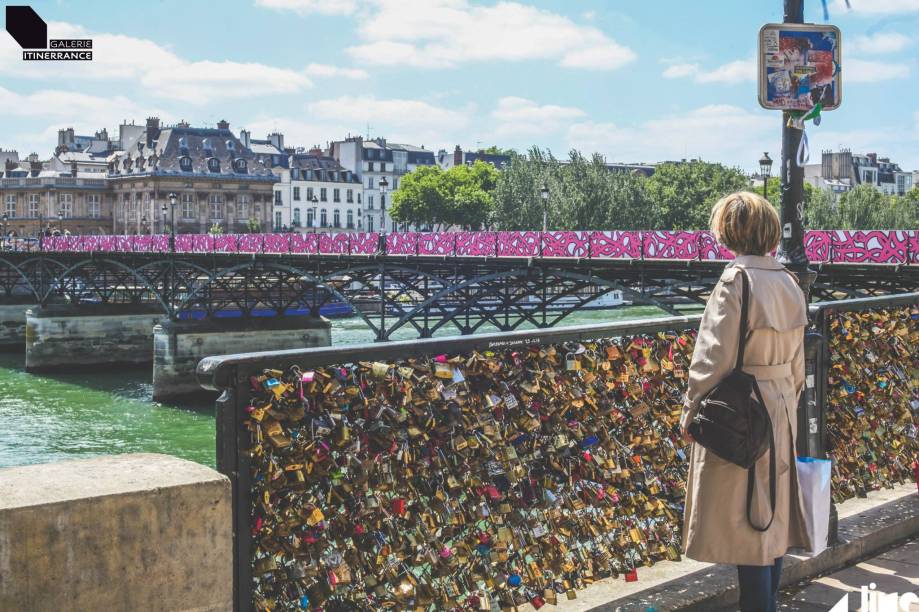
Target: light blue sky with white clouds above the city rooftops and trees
x=635 y=81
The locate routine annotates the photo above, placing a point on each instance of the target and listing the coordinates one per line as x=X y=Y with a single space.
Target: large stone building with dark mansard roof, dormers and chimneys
x=217 y=181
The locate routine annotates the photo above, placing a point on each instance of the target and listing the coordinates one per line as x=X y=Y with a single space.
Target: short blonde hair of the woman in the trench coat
x=746 y=223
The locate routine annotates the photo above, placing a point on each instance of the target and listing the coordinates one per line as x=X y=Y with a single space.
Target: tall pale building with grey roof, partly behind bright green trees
x=372 y=161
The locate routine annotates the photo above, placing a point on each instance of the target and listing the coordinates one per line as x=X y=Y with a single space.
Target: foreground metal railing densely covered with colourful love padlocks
x=511 y=466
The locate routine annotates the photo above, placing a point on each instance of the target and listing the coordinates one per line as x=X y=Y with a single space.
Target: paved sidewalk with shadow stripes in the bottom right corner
x=895 y=570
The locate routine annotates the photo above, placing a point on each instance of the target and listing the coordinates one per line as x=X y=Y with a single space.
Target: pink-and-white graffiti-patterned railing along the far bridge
x=835 y=246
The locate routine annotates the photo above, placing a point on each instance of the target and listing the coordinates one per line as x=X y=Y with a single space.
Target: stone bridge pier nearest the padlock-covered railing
x=178 y=346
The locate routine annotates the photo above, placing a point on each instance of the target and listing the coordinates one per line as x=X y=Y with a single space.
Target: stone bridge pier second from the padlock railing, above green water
x=72 y=337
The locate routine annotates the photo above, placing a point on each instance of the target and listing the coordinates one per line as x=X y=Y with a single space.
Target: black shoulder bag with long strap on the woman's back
x=732 y=421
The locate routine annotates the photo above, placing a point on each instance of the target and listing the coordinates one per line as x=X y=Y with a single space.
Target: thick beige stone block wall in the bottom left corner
x=127 y=532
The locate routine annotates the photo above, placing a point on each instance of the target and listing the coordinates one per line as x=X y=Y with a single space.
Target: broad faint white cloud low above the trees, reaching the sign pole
x=720 y=132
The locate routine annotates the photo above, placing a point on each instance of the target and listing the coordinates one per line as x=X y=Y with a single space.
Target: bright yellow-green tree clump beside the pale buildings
x=460 y=196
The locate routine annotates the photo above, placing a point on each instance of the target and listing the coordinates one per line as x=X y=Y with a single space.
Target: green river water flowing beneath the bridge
x=62 y=416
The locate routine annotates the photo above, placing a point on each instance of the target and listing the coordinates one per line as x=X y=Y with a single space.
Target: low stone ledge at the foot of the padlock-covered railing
x=866 y=526
